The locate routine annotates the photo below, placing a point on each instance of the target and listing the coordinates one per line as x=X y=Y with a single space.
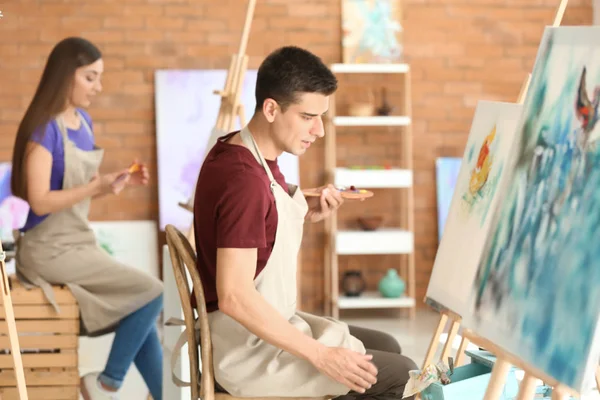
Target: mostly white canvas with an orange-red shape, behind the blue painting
x=482 y=167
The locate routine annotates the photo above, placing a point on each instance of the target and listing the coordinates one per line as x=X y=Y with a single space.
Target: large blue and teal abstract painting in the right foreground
x=536 y=288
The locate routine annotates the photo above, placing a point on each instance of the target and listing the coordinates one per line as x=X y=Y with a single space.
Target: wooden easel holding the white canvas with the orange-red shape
x=455 y=319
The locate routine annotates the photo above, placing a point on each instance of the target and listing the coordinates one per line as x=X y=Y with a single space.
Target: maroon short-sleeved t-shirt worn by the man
x=233 y=207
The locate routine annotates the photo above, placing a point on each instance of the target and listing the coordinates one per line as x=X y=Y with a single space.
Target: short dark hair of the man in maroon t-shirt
x=290 y=71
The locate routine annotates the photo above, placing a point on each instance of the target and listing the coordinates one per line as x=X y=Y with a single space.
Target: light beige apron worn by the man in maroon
x=247 y=366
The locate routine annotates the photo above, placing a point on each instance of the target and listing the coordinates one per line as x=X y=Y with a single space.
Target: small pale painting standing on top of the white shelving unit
x=371 y=31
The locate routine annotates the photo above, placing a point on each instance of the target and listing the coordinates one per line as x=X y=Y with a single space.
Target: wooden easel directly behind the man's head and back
x=231 y=107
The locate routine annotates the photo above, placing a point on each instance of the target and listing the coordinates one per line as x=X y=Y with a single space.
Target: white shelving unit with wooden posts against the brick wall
x=394 y=241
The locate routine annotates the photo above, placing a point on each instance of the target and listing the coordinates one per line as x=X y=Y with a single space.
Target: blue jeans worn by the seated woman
x=136 y=340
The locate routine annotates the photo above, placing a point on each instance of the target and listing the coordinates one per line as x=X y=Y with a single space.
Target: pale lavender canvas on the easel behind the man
x=186 y=113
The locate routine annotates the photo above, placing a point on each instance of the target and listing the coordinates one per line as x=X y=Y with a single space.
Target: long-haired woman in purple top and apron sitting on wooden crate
x=55 y=169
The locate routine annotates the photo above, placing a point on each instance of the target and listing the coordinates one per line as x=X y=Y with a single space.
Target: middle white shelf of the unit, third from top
x=374 y=178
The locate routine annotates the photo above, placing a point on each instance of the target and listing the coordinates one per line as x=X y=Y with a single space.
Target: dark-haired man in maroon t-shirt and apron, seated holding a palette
x=248 y=230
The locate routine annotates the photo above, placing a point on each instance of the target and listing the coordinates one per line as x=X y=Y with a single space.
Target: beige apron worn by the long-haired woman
x=62 y=249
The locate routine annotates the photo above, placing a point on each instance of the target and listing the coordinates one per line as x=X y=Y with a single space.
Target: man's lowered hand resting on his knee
x=348 y=367
